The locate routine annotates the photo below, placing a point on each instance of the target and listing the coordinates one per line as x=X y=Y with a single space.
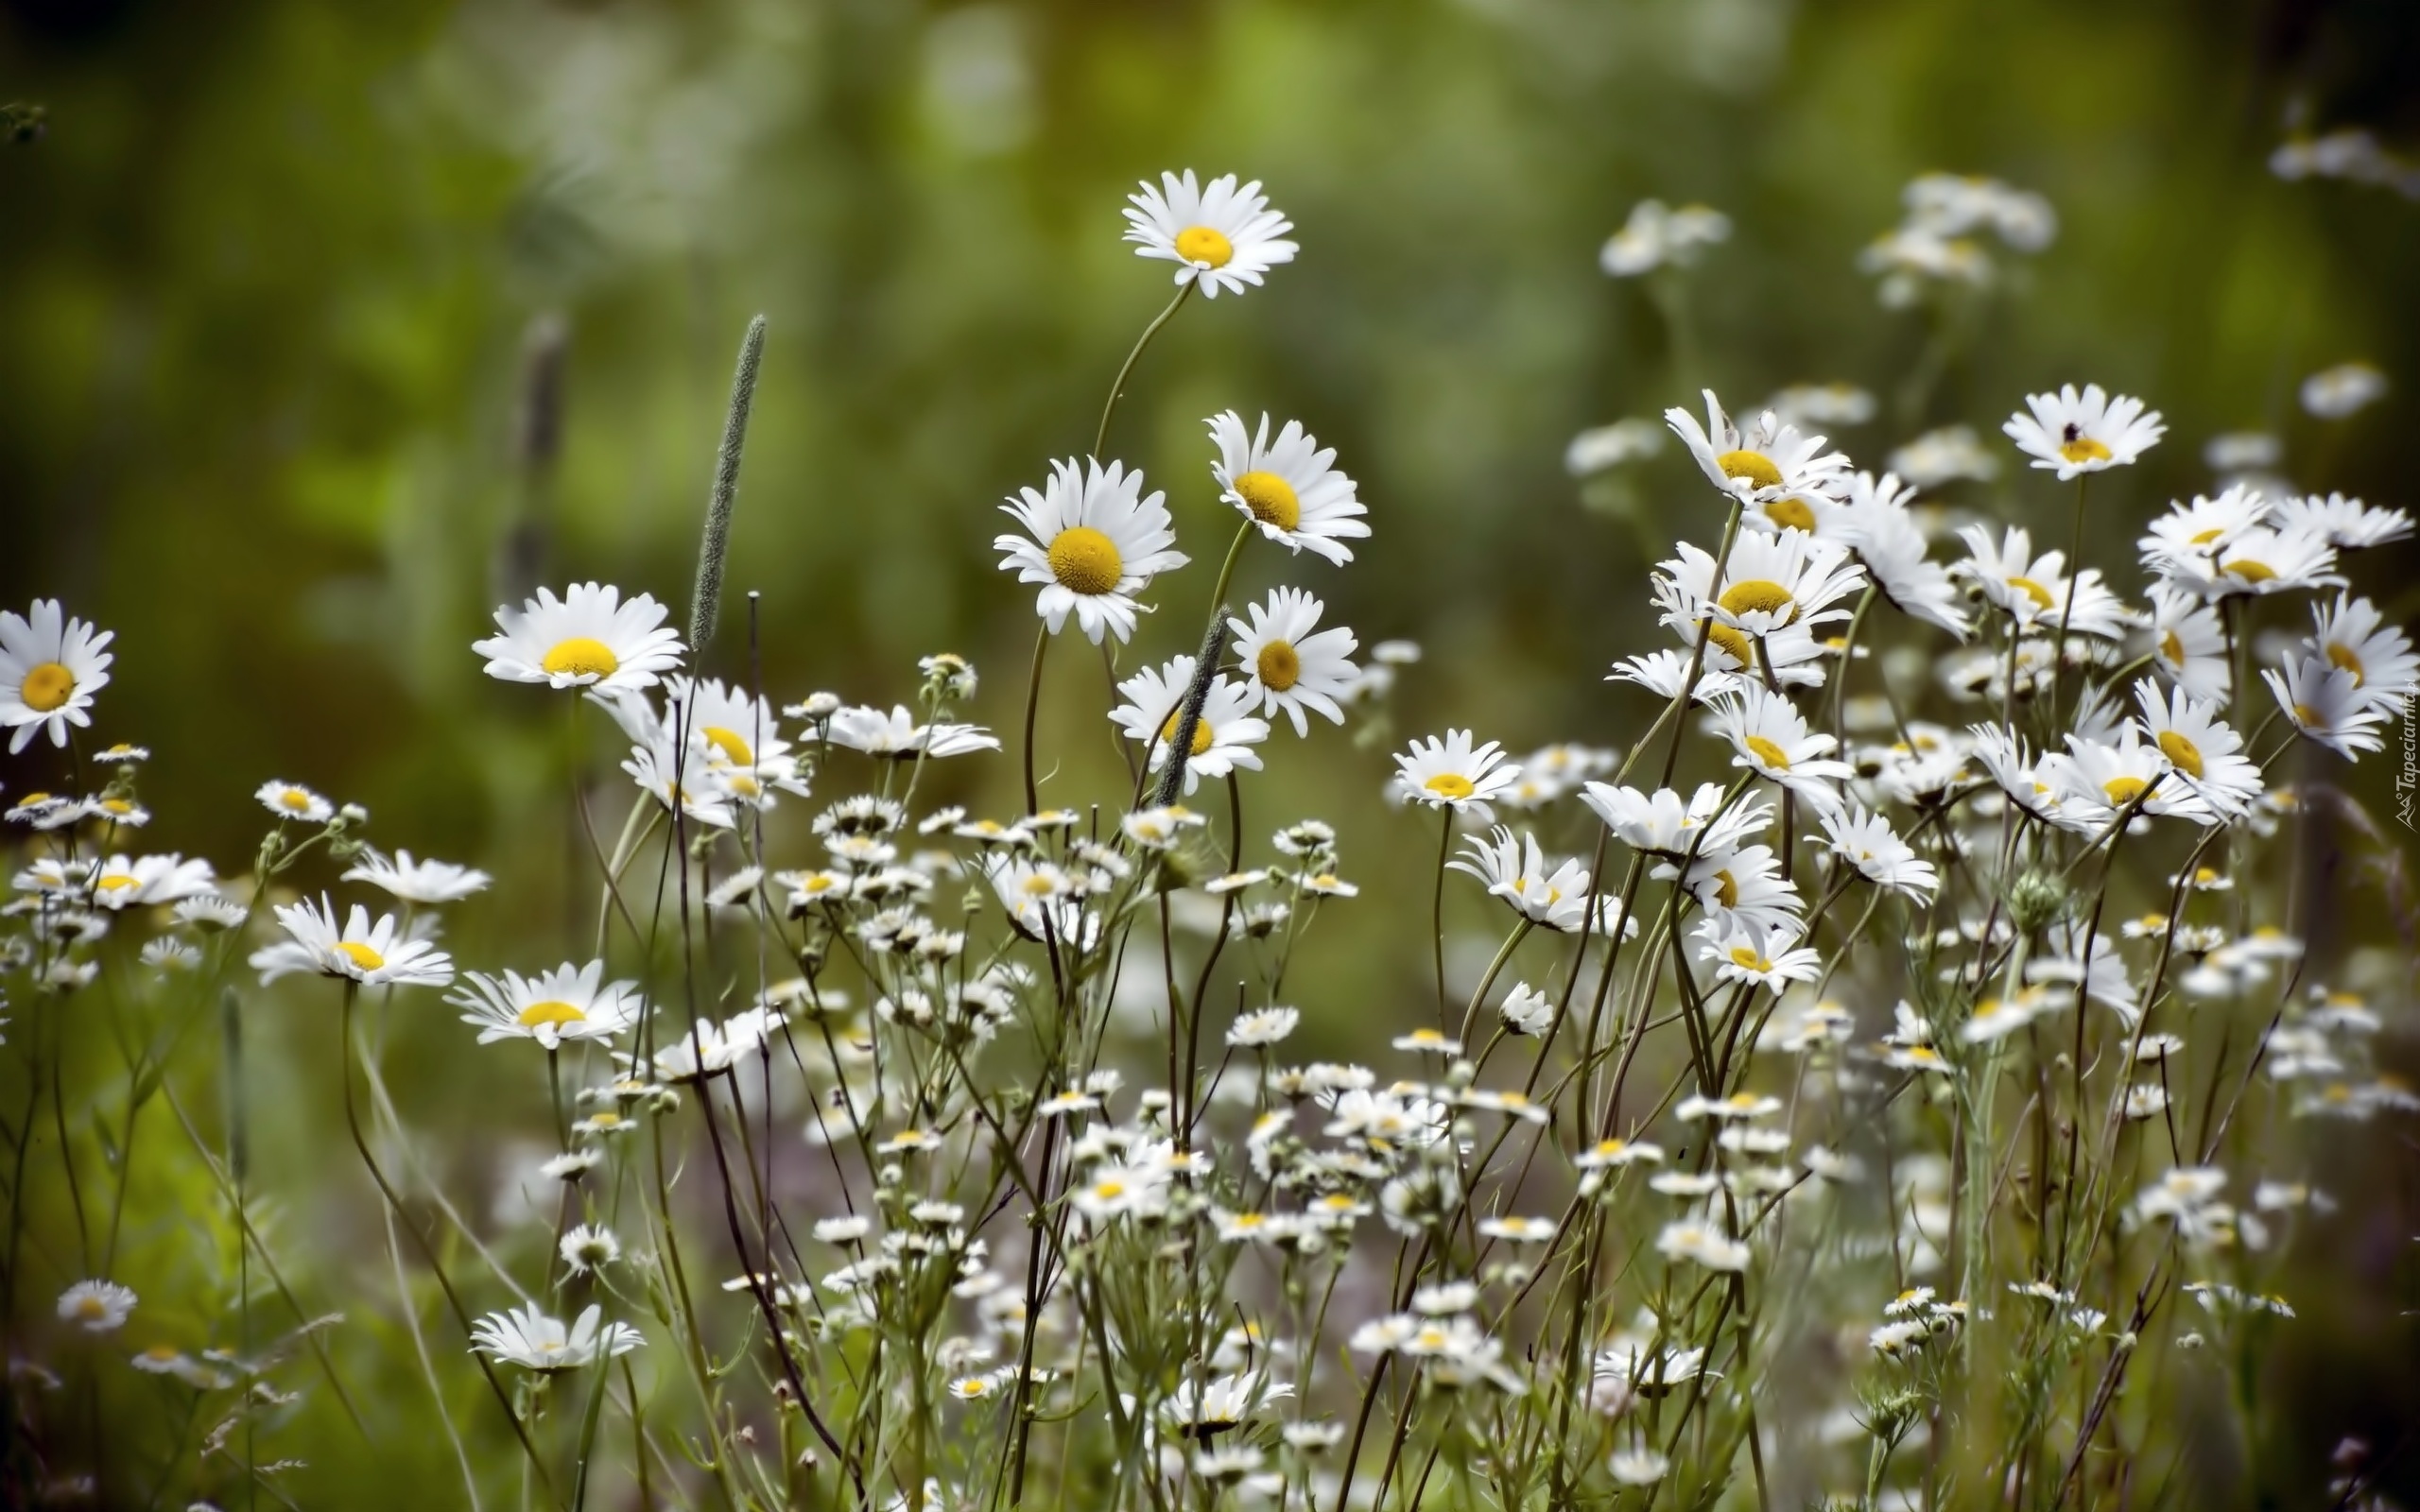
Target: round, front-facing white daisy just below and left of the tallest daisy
x=1093 y=541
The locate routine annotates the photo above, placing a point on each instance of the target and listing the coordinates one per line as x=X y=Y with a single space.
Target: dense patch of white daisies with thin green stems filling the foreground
x=1896 y=1075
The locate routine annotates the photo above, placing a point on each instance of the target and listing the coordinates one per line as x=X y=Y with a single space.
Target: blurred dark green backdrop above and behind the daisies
x=328 y=325
